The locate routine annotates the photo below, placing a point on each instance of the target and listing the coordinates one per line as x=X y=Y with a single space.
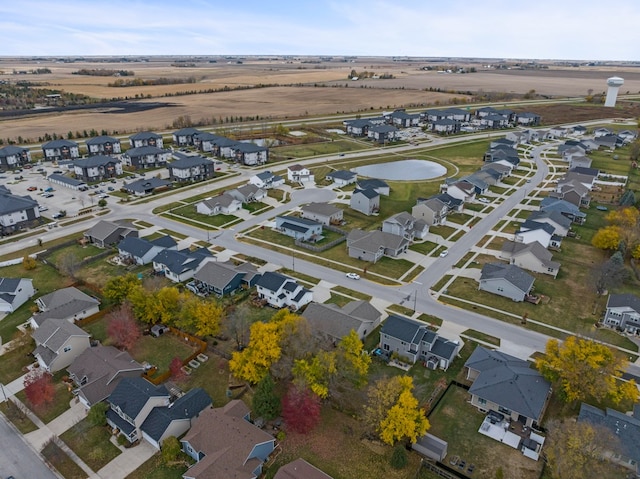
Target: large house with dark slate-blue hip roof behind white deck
x=507 y=385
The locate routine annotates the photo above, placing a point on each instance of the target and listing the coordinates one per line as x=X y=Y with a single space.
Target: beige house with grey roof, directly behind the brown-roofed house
x=58 y=343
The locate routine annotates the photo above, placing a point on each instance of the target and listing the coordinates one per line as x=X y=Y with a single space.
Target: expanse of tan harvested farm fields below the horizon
x=301 y=92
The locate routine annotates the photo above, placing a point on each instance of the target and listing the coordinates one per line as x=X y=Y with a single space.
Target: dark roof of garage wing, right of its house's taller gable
x=185 y=407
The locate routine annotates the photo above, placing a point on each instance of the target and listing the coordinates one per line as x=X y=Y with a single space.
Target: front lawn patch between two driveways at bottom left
x=91 y=444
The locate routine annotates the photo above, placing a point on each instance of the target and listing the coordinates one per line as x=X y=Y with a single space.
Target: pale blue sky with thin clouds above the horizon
x=544 y=29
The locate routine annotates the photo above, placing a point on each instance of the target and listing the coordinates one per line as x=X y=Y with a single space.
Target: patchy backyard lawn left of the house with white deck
x=457 y=422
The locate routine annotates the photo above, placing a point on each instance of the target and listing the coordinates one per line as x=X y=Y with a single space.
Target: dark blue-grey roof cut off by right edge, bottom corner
x=626 y=428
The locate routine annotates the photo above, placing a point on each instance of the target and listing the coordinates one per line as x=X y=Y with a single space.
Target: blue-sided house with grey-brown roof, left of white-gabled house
x=222 y=278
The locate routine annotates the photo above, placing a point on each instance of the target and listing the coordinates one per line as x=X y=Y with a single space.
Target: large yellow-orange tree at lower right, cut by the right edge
x=583 y=369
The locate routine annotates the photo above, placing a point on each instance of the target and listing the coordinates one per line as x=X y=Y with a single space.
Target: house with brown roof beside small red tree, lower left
x=97 y=371
